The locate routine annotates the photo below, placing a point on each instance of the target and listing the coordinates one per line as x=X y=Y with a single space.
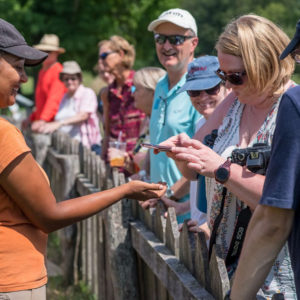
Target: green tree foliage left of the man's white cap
x=81 y=24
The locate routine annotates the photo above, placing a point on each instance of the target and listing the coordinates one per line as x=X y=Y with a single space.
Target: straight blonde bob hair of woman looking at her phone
x=259 y=42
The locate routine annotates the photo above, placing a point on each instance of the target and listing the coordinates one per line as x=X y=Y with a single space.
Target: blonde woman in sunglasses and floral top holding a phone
x=248 y=52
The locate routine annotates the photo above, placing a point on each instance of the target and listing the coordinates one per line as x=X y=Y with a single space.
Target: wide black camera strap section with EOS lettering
x=238 y=237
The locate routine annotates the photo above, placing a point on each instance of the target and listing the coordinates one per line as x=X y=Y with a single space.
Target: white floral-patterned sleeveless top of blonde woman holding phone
x=281 y=276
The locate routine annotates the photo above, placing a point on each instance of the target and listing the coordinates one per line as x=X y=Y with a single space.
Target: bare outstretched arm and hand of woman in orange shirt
x=25 y=183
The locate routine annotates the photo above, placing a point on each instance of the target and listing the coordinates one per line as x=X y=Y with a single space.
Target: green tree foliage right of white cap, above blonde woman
x=213 y=15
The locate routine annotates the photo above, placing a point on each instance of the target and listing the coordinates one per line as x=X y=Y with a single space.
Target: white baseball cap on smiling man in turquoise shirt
x=177 y=16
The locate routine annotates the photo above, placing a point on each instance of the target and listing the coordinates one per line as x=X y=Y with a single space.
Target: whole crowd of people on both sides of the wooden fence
x=229 y=122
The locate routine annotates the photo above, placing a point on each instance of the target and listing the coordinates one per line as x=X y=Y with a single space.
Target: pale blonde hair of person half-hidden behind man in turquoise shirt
x=148 y=77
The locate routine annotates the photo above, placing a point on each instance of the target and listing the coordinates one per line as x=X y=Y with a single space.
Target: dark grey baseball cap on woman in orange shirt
x=12 y=42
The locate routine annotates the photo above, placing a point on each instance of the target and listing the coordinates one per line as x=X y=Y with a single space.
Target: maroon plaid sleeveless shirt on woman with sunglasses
x=123 y=115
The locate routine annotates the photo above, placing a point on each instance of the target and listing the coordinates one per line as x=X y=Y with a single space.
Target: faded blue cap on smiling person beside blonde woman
x=201 y=74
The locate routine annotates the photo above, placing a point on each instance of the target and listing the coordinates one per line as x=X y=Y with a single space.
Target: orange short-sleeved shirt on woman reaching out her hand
x=22 y=245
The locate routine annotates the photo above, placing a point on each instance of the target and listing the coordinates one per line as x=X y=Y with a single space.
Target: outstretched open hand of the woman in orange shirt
x=140 y=190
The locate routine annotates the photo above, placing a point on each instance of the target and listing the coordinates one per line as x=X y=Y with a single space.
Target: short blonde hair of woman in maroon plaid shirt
x=117 y=43
